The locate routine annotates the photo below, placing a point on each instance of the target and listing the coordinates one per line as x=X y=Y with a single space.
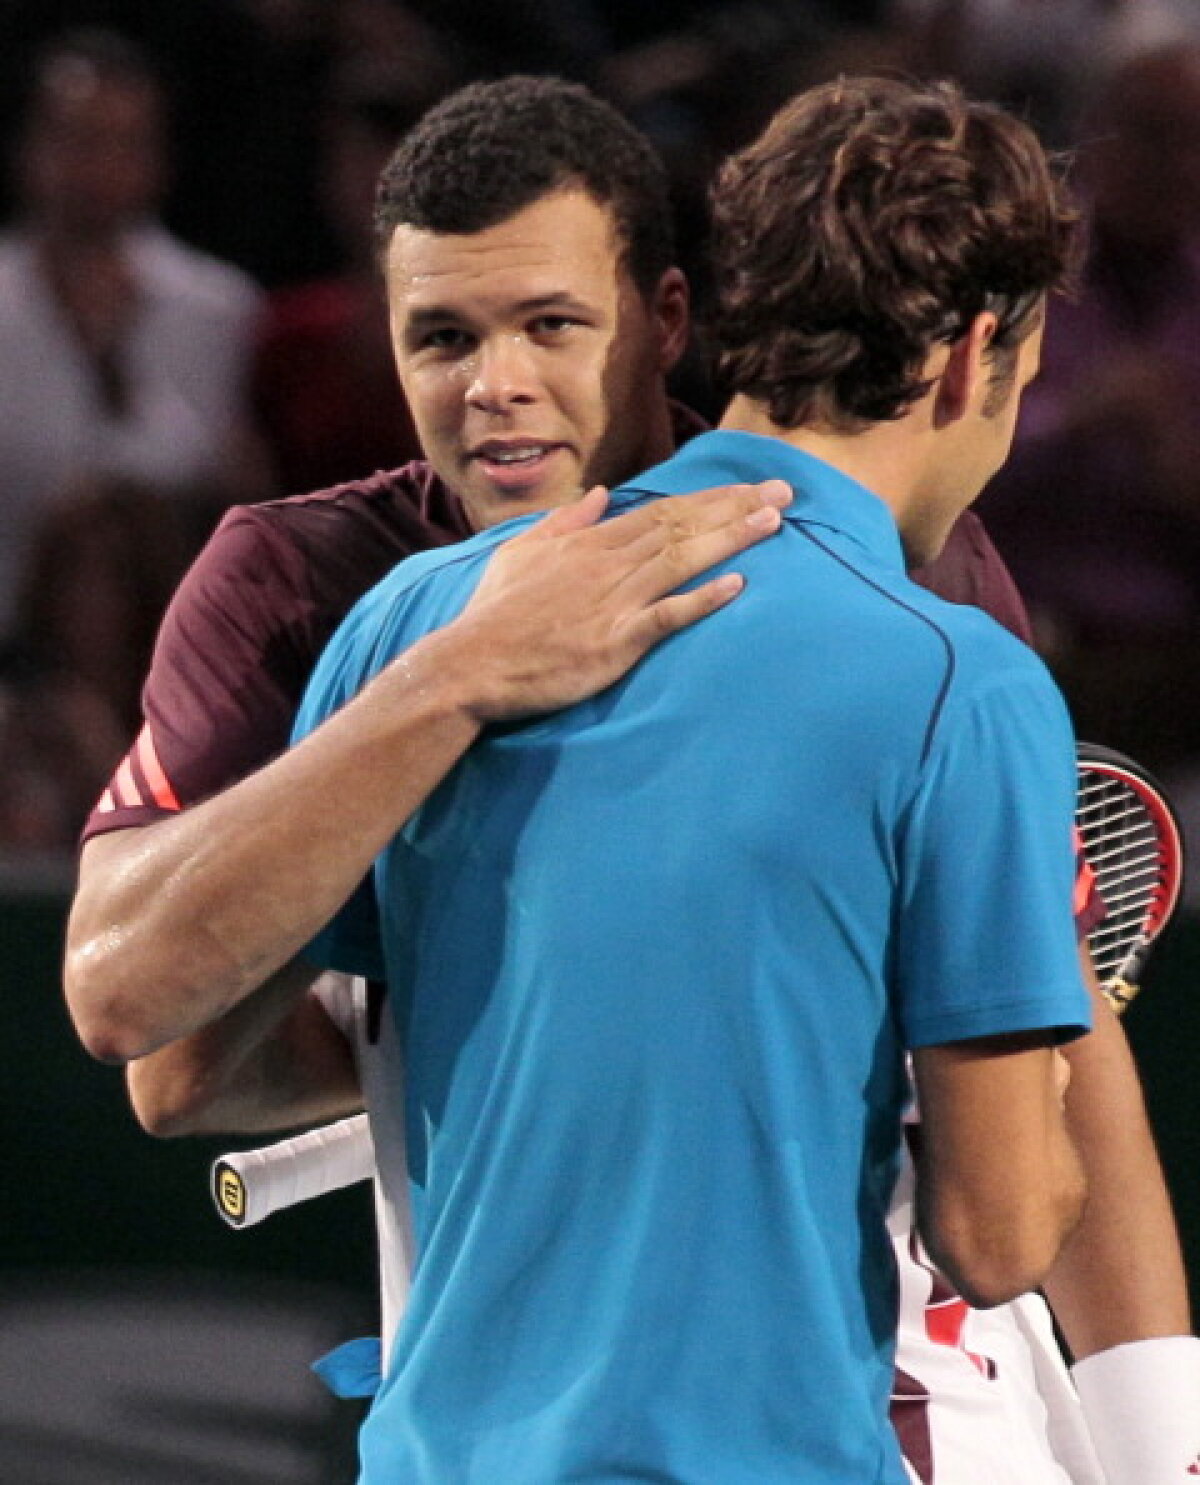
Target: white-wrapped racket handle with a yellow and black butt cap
x=252 y=1184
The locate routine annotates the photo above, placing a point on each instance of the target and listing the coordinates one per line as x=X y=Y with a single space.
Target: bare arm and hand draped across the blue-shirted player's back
x=177 y=923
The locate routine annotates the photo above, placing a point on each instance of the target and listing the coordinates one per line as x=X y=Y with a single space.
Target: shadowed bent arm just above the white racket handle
x=275 y=1063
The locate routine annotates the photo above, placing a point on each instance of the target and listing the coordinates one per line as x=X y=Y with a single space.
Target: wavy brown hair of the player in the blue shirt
x=873 y=221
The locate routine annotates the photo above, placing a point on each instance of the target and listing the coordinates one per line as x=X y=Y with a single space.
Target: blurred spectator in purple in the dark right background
x=1100 y=509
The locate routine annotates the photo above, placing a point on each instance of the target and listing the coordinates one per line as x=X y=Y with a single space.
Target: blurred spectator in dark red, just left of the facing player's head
x=326 y=390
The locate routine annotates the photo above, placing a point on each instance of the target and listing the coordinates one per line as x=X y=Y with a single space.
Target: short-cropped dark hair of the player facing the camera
x=492 y=149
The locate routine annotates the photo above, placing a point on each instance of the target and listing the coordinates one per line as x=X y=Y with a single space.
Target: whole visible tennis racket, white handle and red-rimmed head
x=1131 y=840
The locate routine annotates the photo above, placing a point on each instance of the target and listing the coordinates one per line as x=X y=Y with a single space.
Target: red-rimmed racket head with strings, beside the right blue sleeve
x=1132 y=841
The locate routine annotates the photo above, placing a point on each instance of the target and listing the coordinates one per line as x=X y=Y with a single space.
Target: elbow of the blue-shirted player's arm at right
x=993 y=1262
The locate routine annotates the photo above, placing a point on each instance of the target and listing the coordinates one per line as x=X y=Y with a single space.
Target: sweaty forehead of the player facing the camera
x=564 y=244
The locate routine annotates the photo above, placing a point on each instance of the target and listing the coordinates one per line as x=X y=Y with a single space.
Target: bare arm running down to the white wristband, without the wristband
x=1121 y=1276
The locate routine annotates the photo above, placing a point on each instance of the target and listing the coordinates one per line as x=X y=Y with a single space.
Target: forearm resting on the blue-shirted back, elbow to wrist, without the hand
x=175 y=924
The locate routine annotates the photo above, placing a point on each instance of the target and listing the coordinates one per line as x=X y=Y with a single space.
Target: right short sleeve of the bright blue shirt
x=985 y=939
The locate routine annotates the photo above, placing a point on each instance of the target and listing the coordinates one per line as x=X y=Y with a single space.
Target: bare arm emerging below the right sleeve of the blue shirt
x=999 y=1181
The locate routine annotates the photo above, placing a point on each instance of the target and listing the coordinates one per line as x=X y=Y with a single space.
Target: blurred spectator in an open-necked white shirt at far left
x=123 y=353
